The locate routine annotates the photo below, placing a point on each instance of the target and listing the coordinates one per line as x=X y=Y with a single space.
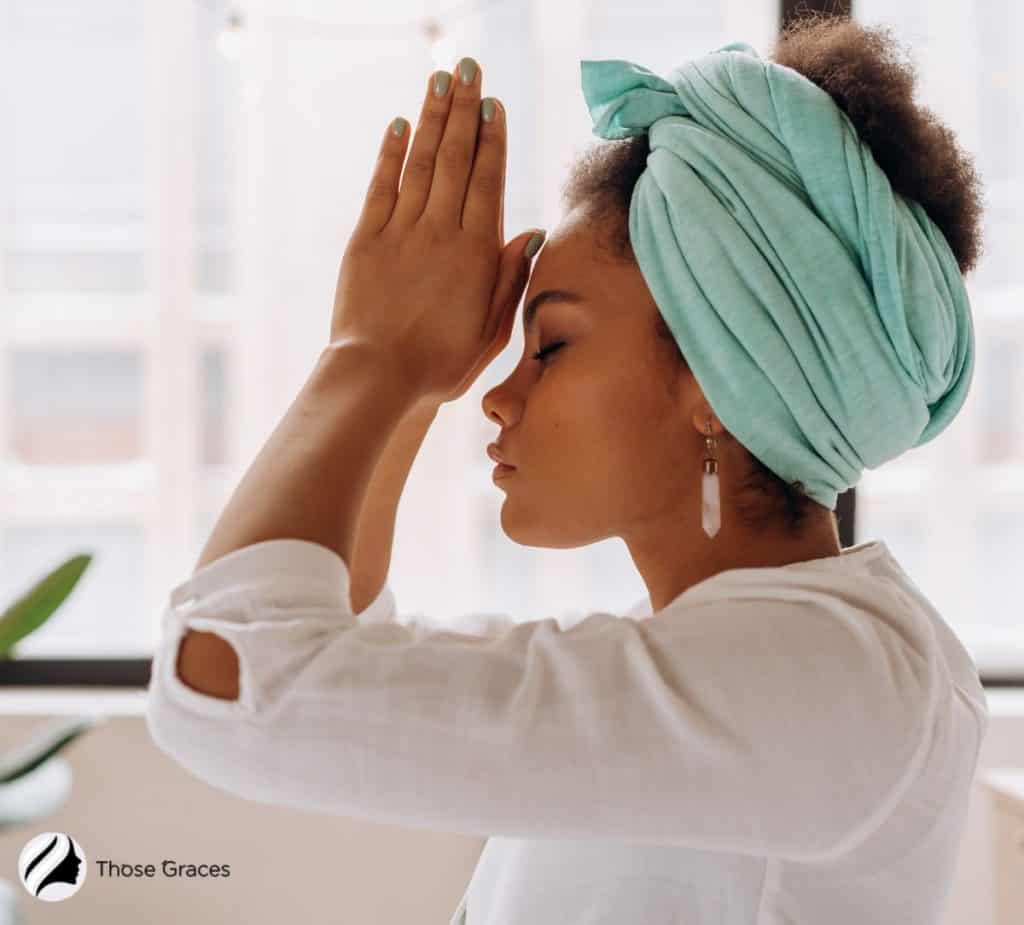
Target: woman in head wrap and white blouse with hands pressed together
x=784 y=731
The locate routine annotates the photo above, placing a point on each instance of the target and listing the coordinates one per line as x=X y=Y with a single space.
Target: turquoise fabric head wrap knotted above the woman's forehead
x=824 y=316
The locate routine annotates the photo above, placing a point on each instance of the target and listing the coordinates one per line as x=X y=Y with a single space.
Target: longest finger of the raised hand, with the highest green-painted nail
x=455 y=155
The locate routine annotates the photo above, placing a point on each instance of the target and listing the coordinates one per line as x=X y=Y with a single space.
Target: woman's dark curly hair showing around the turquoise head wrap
x=861 y=69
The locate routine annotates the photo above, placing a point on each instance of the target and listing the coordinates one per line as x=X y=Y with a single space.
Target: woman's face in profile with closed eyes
x=602 y=430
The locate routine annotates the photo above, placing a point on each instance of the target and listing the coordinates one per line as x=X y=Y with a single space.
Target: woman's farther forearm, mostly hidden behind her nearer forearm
x=375 y=530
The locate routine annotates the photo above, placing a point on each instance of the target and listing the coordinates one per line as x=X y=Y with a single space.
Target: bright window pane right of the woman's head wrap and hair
x=952 y=511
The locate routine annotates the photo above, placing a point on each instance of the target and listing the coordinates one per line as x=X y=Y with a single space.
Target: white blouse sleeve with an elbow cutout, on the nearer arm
x=765 y=727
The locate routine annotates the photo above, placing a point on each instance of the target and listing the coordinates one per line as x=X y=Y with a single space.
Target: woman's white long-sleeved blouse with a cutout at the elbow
x=778 y=745
